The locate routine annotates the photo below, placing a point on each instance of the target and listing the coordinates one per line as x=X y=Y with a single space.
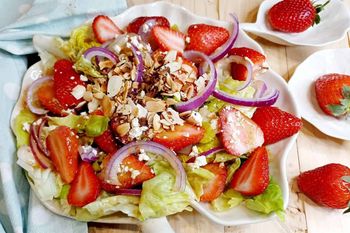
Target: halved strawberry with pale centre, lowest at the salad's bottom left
x=85 y=188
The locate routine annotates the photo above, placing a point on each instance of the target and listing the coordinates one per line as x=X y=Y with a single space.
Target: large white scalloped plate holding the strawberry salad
x=183 y=18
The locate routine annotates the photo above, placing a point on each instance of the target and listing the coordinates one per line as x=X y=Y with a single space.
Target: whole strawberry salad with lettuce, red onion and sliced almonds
x=145 y=119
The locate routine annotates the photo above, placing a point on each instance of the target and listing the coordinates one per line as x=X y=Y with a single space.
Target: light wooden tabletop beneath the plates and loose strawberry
x=312 y=149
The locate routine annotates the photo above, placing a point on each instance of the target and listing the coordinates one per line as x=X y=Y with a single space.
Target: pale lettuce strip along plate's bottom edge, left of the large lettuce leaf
x=109 y=205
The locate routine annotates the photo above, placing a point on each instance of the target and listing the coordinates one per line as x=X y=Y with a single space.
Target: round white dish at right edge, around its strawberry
x=302 y=86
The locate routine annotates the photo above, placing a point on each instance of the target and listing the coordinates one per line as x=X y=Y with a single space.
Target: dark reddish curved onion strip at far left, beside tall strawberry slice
x=41 y=158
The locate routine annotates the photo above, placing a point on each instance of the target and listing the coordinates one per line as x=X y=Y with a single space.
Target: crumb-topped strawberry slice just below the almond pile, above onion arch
x=182 y=136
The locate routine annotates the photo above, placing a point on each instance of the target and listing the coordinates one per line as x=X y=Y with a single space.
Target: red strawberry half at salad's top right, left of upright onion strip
x=206 y=38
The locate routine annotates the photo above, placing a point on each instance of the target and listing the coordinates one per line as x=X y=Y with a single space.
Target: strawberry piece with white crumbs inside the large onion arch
x=142 y=172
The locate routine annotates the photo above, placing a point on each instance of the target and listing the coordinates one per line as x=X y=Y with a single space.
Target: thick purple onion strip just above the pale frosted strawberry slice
x=266 y=100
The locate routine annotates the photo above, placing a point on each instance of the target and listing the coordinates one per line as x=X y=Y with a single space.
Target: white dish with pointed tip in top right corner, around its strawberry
x=335 y=22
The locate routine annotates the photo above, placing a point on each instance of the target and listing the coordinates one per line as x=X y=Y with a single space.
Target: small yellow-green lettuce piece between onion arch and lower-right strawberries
x=198 y=178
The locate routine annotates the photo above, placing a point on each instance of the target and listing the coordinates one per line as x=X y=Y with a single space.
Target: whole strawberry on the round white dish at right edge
x=333 y=94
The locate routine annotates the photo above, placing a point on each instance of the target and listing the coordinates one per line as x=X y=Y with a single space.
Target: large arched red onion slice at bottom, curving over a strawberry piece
x=117 y=158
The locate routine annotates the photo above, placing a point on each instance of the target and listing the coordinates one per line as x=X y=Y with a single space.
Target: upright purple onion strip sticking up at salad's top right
x=224 y=49
